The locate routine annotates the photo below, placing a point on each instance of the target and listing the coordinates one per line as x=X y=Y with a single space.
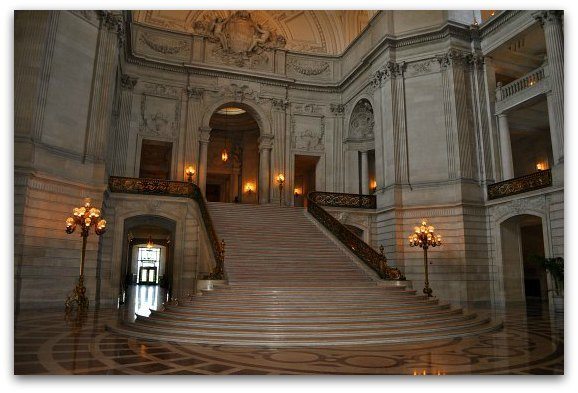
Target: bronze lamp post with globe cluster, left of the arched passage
x=86 y=217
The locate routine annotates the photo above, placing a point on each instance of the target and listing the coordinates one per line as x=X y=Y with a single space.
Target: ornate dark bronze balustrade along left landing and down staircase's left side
x=131 y=185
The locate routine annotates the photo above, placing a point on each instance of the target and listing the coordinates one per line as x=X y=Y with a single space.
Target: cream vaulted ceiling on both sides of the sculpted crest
x=310 y=31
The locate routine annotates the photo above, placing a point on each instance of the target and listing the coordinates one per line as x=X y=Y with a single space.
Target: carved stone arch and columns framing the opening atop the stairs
x=263 y=180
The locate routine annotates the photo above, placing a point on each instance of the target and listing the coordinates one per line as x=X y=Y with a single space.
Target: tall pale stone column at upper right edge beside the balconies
x=551 y=21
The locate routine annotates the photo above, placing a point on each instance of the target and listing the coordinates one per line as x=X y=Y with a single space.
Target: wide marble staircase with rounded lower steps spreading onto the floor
x=290 y=285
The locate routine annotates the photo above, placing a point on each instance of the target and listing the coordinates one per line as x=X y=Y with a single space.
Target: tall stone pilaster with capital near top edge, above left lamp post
x=102 y=86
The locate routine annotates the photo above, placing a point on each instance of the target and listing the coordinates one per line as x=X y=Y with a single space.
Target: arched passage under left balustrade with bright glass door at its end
x=147 y=261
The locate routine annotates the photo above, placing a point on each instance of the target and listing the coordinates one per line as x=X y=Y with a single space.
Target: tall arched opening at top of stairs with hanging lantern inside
x=233 y=156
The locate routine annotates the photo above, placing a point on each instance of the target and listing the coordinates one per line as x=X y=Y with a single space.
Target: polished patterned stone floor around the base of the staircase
x=531 y=342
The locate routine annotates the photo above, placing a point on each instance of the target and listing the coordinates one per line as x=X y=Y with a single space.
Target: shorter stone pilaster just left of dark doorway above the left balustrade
x=127 y=84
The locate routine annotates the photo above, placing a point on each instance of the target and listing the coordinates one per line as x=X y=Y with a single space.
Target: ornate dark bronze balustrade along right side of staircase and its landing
x=377 y=261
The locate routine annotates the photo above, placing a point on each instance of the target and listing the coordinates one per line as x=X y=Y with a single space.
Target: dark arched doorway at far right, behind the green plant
x=525 y=281
